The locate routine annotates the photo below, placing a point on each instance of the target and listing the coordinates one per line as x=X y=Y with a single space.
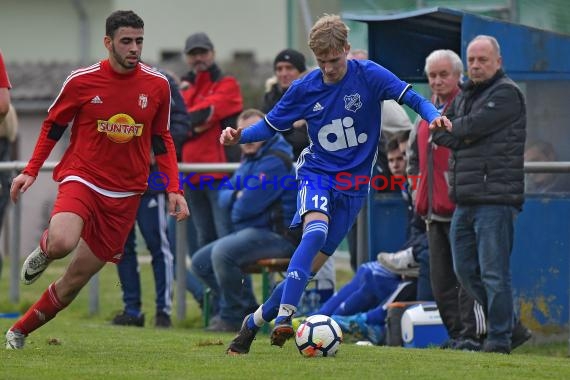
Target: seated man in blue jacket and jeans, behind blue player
x=261 y=196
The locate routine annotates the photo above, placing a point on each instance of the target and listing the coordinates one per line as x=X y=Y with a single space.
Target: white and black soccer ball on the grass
x=318 y=335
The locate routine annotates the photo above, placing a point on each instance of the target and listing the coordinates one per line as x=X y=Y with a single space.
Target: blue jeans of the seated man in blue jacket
x=218 y=265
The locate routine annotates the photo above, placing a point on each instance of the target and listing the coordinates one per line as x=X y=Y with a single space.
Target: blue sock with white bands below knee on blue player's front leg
x=314 y=237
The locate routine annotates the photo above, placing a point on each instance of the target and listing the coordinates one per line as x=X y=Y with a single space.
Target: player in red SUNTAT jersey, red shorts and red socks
x=120 y=109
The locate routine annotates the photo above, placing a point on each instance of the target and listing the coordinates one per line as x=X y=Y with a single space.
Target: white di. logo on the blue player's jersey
x=340 y=135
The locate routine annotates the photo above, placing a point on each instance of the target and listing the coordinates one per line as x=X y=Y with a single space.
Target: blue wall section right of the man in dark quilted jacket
x=540 y=263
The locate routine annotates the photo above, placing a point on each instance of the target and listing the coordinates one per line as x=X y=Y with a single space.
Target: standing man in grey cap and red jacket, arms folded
x=213 y=101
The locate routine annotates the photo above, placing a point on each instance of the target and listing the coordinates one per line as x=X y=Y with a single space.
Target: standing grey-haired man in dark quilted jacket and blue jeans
x=487 y=184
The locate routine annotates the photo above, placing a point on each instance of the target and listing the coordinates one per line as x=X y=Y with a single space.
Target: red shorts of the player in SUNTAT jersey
x=107 y=221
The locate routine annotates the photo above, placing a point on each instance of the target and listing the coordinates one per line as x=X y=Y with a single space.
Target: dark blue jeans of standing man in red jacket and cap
x=210 y=220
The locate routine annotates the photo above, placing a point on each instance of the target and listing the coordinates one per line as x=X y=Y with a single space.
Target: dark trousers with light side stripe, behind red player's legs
x=151 y=218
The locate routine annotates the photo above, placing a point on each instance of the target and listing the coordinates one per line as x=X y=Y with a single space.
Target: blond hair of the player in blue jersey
x=329 y=34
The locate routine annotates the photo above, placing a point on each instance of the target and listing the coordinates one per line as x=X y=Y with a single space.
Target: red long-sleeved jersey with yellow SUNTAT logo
x=115 y=117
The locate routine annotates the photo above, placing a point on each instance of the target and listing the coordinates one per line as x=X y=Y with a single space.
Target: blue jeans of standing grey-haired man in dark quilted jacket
x=481 y=244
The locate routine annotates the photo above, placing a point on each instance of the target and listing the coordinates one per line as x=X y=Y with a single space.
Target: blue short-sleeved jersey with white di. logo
x=343 y=121
